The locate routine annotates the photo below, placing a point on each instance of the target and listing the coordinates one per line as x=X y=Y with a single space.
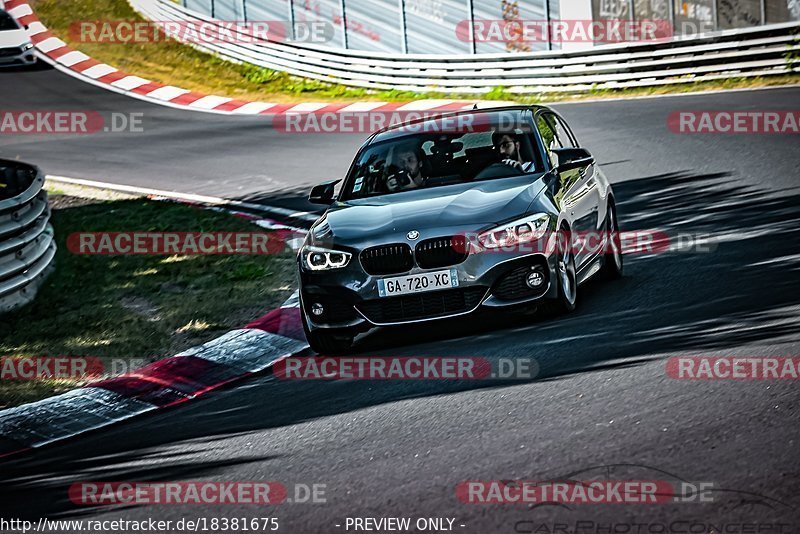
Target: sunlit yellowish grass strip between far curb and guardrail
x=175 y=64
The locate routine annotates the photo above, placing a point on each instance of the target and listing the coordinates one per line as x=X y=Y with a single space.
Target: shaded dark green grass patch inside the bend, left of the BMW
x=137 y=307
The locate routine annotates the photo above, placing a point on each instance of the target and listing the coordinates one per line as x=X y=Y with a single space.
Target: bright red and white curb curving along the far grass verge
x=75 y=63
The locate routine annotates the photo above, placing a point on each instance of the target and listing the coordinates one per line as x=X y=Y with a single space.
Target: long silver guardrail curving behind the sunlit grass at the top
x=759 y=51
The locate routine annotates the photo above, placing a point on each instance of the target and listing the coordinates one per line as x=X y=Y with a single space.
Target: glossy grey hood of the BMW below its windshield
x=463 y=207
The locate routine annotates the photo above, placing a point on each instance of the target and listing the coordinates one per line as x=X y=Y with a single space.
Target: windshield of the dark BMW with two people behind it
x=438 y=159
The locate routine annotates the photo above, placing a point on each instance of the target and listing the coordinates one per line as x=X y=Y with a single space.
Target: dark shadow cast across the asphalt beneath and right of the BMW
x=678 y=302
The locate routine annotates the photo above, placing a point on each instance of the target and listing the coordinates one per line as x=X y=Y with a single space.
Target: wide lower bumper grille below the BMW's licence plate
x=422 y=306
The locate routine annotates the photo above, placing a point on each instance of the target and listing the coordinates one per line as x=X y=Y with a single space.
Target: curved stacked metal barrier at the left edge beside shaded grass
x=27 y=247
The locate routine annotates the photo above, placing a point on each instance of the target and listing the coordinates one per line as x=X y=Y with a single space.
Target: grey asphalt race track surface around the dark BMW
x=602 y=400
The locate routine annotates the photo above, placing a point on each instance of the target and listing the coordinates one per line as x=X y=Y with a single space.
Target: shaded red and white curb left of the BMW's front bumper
x=235 y=355
